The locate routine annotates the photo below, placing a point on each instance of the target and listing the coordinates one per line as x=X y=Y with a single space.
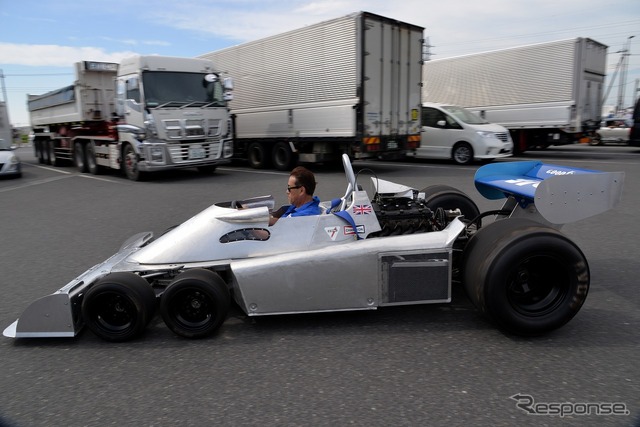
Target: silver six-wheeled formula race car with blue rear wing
x=403 y=246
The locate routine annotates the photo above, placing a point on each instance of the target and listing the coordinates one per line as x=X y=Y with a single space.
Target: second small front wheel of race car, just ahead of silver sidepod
x=195 y=304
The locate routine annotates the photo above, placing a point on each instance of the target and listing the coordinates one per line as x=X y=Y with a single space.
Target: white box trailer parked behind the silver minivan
x=545 y=94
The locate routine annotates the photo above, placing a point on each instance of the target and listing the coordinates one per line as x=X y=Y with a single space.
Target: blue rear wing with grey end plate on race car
x=560 y=194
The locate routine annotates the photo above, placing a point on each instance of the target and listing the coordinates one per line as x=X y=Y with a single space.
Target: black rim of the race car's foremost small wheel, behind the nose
x=113 y=313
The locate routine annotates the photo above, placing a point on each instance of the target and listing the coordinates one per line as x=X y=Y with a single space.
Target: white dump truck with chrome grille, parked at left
x=145 y=114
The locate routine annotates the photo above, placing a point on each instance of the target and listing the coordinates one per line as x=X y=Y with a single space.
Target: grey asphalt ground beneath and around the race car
x=432 y=365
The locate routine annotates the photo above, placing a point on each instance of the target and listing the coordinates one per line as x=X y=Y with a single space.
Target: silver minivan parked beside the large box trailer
x=452 y=132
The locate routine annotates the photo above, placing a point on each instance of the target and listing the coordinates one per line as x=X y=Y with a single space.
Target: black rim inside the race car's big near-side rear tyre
x=538 y=285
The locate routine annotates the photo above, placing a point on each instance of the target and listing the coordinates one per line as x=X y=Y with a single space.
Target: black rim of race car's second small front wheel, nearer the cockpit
x=192 y=309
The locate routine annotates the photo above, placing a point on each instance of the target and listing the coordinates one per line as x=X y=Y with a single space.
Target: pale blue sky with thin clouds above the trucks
x=41 y=39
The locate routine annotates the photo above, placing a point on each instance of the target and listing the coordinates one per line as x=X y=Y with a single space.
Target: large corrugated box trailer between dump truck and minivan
x=348 y=85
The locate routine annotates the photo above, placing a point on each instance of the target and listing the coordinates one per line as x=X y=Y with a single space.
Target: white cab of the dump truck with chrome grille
x=172 y=113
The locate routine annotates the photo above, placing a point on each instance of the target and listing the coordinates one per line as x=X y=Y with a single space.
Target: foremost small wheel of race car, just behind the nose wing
x=119 y=306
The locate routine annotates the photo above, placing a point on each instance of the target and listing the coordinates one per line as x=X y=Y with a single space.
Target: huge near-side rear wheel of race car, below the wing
x=524 y=276
